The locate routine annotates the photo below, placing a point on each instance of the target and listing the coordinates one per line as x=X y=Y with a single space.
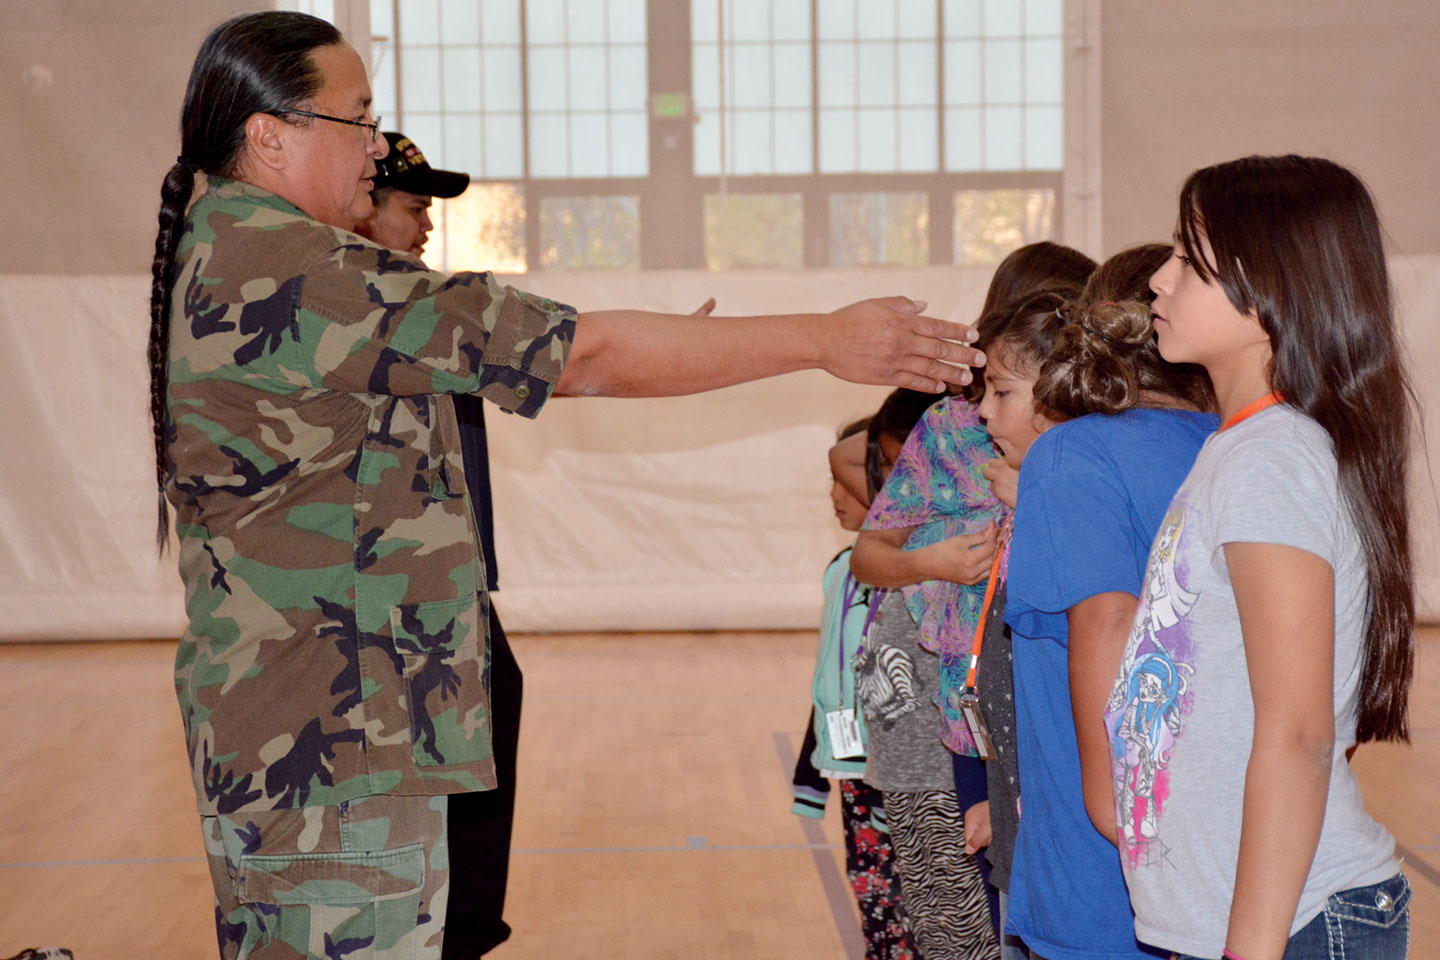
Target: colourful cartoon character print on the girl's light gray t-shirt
x=1146 y=709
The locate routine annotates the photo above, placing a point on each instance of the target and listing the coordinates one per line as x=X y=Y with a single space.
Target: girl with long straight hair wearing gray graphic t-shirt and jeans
x=1279 y=607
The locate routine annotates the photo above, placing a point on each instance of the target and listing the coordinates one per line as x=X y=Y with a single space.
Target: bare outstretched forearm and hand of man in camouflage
x=883 y=342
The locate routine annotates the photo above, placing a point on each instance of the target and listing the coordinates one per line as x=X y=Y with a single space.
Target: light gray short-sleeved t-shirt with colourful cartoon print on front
x=1182 y=717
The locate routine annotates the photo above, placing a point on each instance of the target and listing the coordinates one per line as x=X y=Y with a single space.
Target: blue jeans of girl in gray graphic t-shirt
x=1366 y=923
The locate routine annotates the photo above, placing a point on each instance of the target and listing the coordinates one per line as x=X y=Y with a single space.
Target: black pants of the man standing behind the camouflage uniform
x=480 y=823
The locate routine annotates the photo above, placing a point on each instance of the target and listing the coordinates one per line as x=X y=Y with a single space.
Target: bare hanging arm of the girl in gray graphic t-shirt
x=1287 y=601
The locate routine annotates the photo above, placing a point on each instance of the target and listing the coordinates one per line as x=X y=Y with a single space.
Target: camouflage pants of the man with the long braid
x=366 y=880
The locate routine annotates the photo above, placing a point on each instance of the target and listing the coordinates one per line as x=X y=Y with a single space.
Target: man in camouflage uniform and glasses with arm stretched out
x=333 y=679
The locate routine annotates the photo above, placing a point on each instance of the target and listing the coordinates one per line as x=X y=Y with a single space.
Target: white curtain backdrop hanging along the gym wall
x=692 y=513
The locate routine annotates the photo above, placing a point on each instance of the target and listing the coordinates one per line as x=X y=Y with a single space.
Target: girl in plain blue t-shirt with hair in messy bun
x=1107 y=433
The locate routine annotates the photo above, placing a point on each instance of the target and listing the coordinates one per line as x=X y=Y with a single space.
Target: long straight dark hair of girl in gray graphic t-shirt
x=1297 y=243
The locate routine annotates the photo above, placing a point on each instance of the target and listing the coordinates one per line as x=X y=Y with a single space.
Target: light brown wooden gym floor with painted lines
x=653 y=814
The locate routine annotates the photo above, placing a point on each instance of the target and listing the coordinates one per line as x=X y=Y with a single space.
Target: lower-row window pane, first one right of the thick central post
x=761 y=230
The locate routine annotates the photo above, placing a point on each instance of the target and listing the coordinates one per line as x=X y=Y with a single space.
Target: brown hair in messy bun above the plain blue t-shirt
x=1105 y=359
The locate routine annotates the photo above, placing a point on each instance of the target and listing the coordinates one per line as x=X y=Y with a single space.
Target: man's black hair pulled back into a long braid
x=253 y=64
